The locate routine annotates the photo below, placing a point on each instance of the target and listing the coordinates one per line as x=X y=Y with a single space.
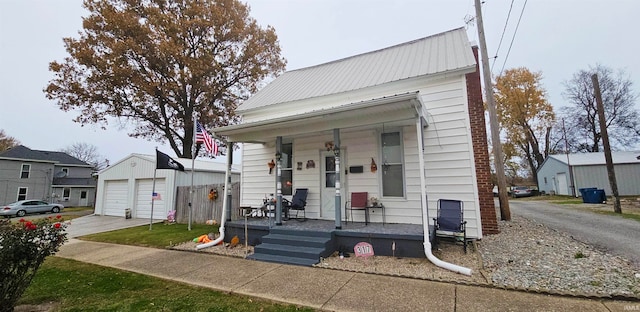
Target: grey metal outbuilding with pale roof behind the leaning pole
x=563 y=173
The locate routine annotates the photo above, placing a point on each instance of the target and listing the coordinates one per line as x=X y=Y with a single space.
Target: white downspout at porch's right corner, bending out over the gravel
x=423 y=199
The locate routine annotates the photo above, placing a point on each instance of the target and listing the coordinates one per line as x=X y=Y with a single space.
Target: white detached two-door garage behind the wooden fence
x=129 y=184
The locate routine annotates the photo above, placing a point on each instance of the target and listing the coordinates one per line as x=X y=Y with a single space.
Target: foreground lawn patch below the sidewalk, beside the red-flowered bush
x=78 y=286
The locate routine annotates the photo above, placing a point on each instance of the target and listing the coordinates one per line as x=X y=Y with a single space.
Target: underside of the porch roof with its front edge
x=397 y=109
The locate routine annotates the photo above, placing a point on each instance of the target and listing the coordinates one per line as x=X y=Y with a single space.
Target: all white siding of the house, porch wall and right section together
x=449 y=164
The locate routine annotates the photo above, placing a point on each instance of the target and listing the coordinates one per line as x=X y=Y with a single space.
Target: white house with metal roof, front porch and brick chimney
x=405 y=124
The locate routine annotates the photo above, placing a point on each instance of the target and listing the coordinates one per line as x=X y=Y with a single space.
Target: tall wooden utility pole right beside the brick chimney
x=505 y=213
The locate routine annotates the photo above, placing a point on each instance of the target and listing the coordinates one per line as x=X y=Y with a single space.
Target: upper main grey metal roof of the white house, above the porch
x=444 y=52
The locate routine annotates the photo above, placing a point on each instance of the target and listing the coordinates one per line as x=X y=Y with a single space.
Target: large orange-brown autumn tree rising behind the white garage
x=156 y=63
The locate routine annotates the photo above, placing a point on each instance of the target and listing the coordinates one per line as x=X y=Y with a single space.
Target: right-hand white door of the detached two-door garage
x=144 y=190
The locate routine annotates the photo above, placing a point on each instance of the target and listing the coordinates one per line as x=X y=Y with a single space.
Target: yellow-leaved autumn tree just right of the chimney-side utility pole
x=525 y=115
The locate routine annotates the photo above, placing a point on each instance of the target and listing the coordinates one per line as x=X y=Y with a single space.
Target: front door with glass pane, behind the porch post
x=328 y=187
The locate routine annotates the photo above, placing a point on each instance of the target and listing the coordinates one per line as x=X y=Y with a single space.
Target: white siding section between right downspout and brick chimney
x=449 y=159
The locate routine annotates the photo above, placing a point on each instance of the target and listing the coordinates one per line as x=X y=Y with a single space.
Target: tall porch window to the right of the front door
x=392 y=165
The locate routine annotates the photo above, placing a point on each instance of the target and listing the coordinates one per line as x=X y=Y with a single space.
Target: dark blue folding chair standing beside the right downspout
x=450 y=222
